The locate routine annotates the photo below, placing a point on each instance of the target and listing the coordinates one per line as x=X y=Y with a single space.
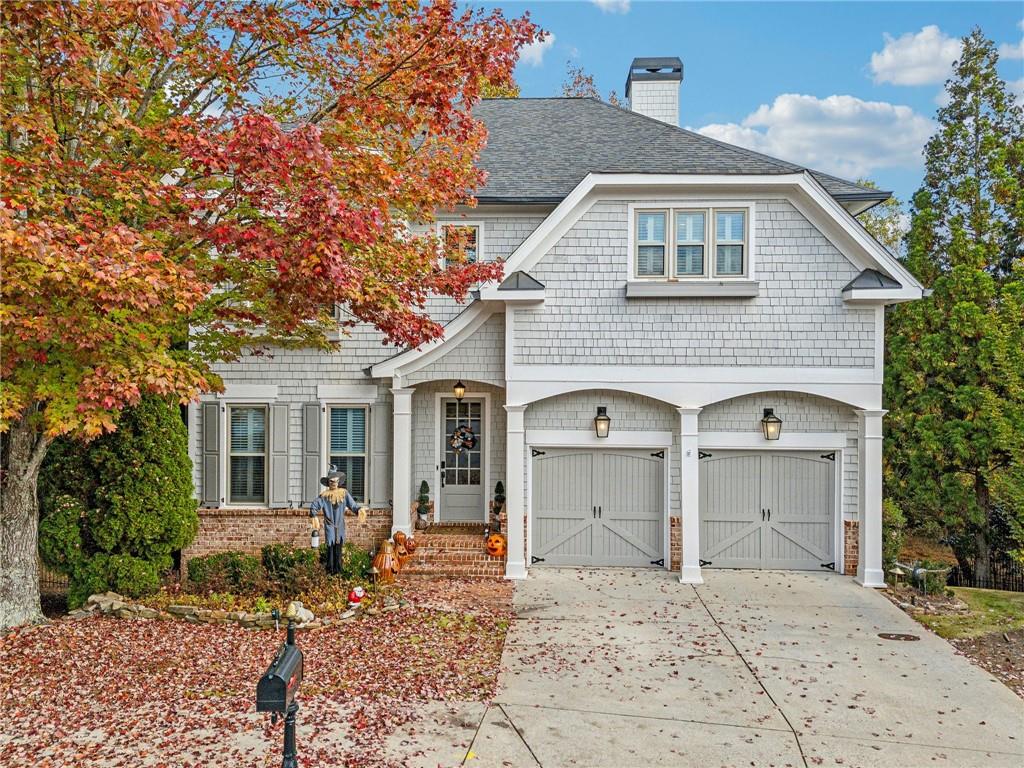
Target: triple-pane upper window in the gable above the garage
x=707 y=243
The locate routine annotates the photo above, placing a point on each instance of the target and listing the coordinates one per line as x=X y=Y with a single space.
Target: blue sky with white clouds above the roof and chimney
x=849 y=89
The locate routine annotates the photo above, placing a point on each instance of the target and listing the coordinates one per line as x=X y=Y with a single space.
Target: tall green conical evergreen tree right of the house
x=954 y=379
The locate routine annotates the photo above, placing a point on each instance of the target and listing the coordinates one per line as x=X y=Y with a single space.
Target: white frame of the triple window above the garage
x=710 y=207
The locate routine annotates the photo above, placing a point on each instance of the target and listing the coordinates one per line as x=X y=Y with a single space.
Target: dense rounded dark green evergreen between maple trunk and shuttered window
x=114 y=511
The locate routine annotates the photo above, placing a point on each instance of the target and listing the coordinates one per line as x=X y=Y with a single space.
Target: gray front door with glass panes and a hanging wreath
x=462 y=465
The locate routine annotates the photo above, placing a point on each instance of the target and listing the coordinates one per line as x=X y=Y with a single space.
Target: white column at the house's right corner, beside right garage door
x=870 y=572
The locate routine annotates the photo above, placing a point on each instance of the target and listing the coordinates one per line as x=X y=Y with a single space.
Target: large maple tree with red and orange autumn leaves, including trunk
x=222 y=173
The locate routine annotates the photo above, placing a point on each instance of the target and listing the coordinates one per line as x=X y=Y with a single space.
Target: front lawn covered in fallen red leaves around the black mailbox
x=109 y=693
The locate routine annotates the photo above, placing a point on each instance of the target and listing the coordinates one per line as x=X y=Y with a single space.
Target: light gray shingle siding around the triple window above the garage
x=798 y=320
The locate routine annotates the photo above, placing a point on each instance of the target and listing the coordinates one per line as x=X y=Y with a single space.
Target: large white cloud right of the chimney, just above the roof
x=839 y=135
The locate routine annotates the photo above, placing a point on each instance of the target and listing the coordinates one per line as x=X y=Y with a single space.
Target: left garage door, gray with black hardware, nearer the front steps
x=598 y=507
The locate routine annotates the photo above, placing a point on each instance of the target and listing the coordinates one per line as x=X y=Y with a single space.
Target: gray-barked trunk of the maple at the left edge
x=23 y=455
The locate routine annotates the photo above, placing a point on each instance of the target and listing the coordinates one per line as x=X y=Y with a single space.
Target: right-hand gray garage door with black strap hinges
x=771 y=510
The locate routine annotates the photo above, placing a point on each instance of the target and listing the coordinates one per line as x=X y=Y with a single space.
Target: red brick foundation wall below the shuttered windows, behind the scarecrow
x=250 y=530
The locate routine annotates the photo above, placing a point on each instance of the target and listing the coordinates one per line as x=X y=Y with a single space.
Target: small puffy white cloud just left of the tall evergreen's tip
x=916 y=59
